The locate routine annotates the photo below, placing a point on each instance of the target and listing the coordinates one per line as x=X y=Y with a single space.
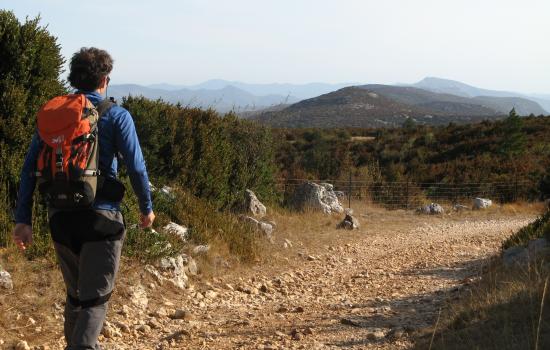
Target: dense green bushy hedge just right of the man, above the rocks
x=213 y=157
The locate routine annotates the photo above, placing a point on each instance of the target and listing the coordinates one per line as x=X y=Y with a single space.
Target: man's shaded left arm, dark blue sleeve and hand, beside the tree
x=22 y=233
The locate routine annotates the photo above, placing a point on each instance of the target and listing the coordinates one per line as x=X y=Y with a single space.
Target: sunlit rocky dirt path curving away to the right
x=369 y=293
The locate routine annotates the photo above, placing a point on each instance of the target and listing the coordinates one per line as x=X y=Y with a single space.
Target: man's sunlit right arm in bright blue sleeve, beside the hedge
x=127 y=143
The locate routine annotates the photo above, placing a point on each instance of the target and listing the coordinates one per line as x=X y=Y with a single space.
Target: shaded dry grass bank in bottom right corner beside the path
x=503 y=311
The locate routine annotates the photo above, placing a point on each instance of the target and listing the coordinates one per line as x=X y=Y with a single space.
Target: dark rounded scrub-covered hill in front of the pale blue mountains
x=378 y=106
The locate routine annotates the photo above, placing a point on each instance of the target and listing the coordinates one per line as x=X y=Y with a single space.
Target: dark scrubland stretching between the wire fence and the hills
x=514 y=152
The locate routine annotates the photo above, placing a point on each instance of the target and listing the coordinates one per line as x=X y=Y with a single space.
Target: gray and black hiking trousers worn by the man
x=88 y=247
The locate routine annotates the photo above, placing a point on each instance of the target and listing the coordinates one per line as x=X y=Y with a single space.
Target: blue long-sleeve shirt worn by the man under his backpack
x=117 y=134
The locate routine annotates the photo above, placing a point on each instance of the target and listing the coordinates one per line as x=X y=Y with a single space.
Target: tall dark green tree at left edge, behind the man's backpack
x=29 y=76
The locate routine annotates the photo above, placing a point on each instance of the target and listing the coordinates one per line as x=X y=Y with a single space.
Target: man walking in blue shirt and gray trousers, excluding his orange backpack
x=88 y=241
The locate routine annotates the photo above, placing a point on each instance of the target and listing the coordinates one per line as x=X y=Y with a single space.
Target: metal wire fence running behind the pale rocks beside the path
x=410 y=195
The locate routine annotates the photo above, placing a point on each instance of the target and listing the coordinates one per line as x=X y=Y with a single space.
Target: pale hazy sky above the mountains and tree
x=497 y=44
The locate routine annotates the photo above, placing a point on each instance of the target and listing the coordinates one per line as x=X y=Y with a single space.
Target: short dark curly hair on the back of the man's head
x=88 y=67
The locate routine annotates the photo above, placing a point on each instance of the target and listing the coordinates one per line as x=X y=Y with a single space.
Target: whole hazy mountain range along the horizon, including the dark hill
x=438 y=98
